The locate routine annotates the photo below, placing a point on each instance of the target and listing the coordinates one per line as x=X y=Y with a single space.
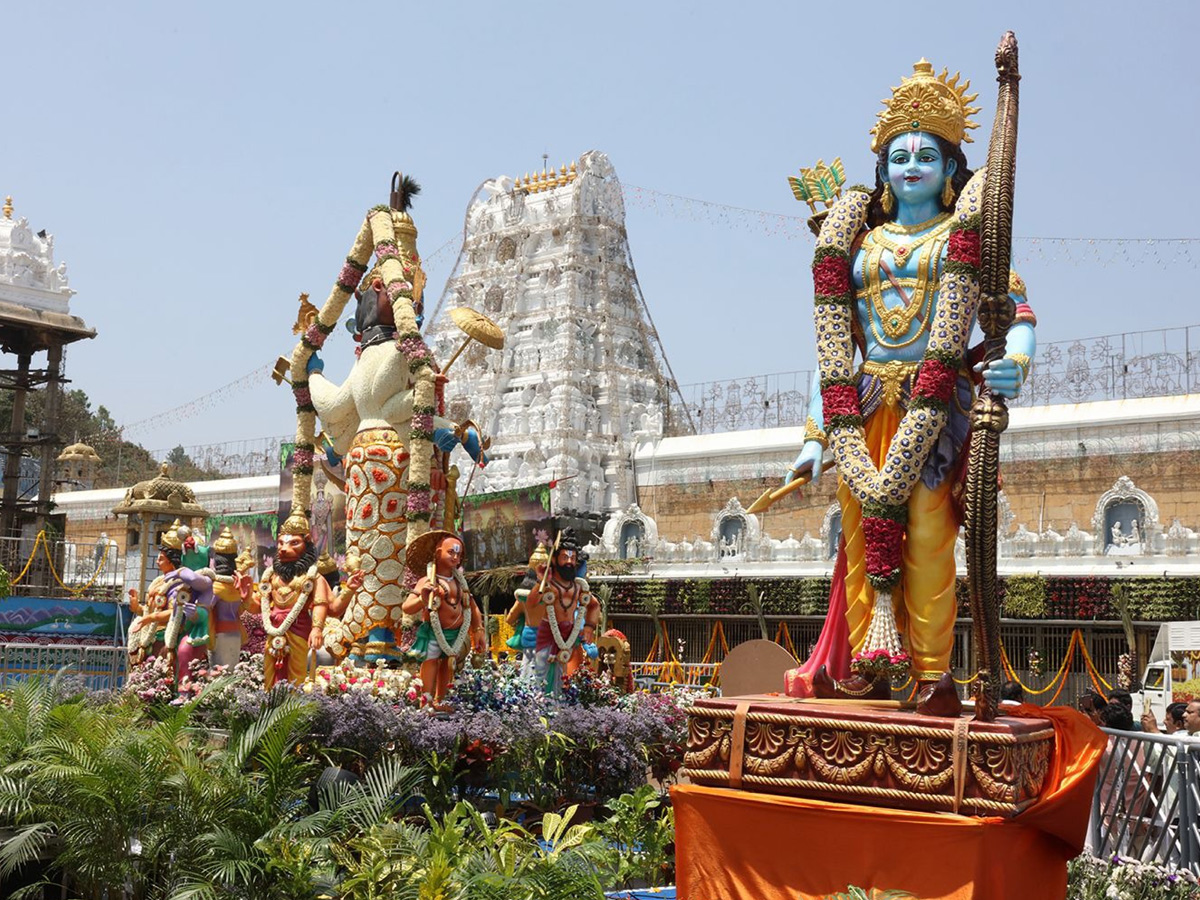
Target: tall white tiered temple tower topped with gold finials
x=584 y=377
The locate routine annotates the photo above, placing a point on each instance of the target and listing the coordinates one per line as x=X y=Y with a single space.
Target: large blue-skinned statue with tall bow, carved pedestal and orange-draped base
x=1028 y=773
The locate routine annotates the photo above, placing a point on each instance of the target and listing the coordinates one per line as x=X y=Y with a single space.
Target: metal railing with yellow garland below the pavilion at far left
x=64 y=569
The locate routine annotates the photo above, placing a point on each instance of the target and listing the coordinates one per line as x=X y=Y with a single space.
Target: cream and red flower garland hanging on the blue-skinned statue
x=884 y=493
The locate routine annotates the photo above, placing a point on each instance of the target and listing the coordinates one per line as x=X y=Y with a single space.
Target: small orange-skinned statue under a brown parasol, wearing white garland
x=451 y=622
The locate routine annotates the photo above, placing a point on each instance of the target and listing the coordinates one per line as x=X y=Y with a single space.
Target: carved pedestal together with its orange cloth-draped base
x=872 y=803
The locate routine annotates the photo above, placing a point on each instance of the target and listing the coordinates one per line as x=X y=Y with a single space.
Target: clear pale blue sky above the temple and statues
x=202 y=164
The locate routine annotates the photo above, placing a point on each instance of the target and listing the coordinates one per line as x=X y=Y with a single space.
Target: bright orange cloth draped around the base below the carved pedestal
x=736 y=844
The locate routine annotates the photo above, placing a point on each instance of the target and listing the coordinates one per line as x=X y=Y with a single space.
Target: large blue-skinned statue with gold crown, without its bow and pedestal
x=897 y=281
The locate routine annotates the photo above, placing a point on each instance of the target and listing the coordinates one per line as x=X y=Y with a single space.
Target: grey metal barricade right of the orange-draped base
x=1147 y=805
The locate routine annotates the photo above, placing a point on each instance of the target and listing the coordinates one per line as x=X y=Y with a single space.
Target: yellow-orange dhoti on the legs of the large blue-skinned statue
x=925 y=601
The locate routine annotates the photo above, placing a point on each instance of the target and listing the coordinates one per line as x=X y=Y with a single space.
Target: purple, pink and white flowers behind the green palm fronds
x=503 y=740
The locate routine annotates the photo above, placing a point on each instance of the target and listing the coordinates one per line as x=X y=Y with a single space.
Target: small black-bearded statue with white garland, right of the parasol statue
x=569 y=614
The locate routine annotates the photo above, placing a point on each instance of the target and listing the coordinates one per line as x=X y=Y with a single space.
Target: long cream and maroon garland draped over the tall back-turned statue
x=403 y=277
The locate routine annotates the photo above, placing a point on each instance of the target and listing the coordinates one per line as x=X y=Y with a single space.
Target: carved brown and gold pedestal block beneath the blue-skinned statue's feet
x=863 y=754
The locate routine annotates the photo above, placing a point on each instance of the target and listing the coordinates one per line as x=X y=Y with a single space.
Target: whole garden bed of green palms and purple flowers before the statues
x=346 y=790
